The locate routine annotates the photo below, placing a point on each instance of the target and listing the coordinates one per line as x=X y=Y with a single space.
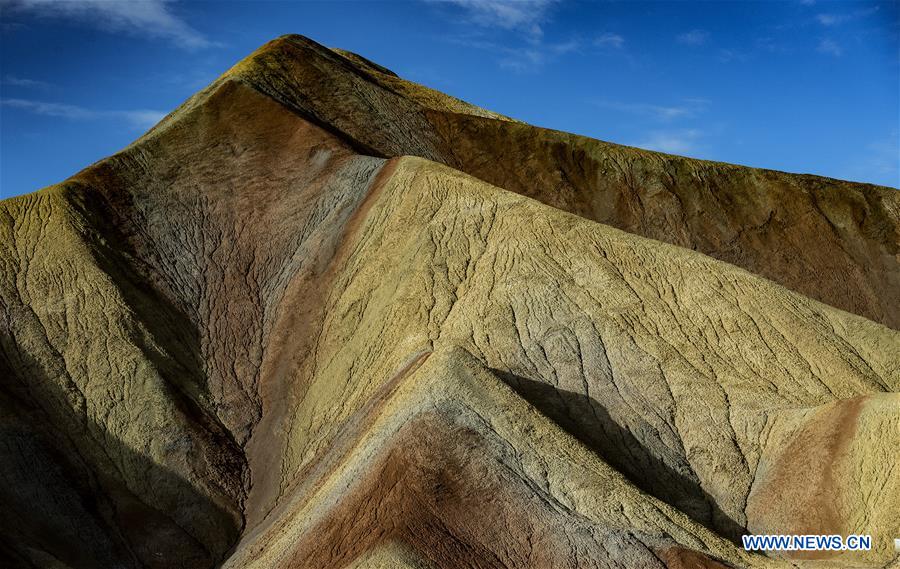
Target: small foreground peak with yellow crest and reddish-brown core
x=453 y=469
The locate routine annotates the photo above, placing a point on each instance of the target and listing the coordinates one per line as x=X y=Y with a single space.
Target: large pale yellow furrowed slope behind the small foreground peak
x=675 y=368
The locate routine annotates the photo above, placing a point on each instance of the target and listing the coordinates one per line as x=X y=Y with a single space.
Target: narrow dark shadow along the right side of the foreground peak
x=588 y=421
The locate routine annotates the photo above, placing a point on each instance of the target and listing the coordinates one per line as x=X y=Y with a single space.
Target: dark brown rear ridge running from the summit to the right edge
x=832 y=240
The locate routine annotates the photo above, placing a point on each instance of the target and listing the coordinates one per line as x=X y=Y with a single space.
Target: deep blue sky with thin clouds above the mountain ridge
x=802 y=86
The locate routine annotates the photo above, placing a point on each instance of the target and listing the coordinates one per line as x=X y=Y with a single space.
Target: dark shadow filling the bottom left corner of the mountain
x=73 y=495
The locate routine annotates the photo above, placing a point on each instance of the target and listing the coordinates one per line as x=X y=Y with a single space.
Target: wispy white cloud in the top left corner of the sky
x=149 y=18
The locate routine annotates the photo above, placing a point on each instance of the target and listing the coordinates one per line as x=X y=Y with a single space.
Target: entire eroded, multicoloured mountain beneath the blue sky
x=320 y=316
